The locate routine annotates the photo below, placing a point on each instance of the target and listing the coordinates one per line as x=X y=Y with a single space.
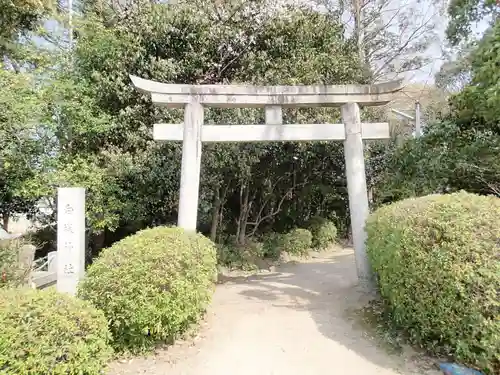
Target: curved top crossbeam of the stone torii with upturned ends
x=230 y=96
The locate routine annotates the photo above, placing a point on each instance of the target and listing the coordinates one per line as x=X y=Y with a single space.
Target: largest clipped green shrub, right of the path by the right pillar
x=437 y=260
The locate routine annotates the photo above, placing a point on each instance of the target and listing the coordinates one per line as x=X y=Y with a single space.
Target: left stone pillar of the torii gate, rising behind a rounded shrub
x=191 y=164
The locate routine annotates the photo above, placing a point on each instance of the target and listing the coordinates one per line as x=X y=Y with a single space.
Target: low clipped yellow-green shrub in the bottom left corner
x=43 y=332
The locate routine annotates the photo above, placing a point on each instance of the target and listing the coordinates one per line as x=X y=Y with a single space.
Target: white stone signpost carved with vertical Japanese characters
x=70 y=238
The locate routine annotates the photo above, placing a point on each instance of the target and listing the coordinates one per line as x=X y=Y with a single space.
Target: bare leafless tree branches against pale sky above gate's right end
x=391 y=37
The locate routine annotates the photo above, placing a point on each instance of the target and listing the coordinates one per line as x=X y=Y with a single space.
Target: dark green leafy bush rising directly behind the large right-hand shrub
x=446 y=159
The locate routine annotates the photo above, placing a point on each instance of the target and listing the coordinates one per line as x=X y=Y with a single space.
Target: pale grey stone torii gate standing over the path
x=192 y=133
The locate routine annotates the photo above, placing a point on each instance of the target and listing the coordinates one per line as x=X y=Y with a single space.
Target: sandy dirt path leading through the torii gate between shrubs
x=299 y=320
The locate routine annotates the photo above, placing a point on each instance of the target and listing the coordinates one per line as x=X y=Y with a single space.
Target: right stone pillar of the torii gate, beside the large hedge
x=356 y=187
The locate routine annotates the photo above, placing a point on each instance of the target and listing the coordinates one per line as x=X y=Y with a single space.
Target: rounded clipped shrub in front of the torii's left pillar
x=152 y=286
